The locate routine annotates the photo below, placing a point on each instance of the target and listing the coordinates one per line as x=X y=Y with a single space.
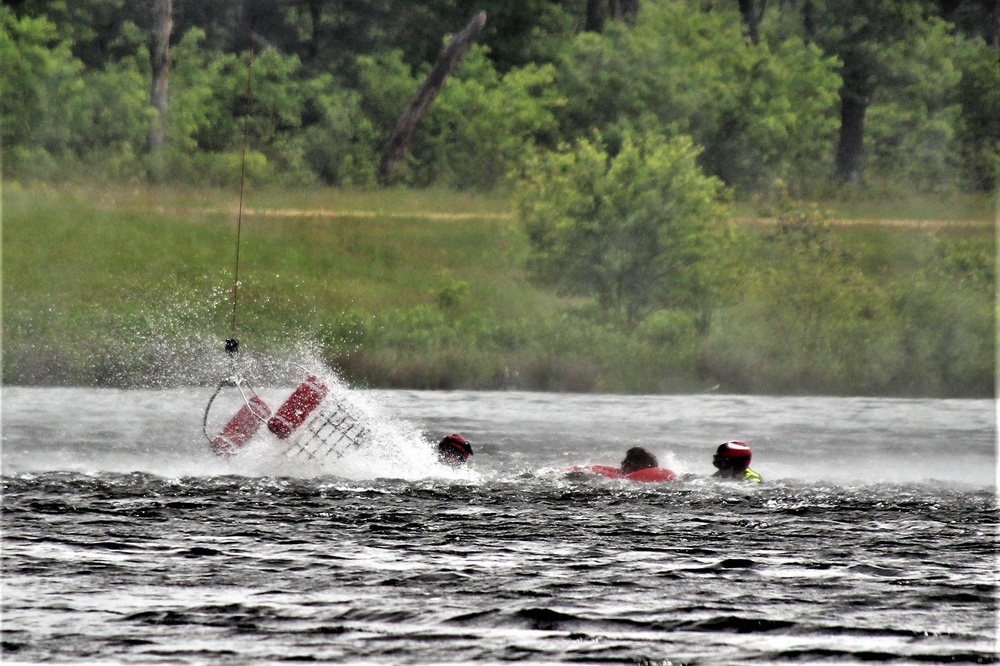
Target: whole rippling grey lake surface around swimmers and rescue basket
x=874 y=536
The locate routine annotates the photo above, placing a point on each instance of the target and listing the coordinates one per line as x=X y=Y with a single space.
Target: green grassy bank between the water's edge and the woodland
x=426 y=289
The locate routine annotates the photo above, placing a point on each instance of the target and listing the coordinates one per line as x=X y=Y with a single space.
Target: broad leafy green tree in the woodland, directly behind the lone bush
x=759 y=112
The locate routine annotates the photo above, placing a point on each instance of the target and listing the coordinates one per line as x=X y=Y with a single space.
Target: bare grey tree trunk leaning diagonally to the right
x=453 y=51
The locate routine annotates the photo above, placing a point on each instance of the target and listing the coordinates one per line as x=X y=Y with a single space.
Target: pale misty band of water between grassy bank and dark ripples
x=836 y=440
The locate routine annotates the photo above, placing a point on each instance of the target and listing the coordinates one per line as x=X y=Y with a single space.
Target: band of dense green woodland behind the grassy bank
x=330 y=79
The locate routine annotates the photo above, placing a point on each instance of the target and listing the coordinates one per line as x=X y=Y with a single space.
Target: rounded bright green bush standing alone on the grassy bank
x=637 y=228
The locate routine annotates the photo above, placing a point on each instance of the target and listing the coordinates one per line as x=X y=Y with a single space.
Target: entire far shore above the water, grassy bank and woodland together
x=608 y=196
